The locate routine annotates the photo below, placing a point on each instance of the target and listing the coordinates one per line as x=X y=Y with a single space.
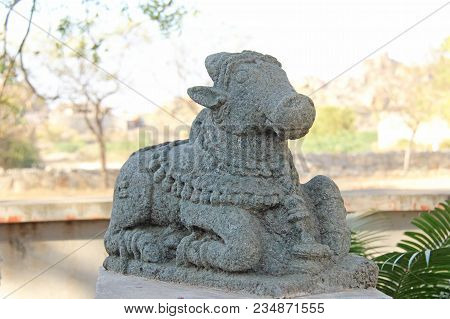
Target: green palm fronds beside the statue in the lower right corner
x=422 y=269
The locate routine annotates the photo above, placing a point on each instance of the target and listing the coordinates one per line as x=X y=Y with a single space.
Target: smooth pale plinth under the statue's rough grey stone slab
x=111 y=285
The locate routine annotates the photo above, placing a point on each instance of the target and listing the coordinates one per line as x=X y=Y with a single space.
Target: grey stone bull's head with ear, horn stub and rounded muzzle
x=251 y=93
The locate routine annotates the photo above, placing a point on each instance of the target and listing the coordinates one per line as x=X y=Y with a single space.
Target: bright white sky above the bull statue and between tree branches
x=310 y=38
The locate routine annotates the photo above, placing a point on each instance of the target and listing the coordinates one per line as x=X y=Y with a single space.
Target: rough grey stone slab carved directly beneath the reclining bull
x=351 y=272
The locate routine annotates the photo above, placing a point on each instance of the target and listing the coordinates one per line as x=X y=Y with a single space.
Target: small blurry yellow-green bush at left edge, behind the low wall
x=17 y=153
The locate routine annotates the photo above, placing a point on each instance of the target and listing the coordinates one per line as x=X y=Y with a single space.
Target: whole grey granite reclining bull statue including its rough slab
x=225 y=208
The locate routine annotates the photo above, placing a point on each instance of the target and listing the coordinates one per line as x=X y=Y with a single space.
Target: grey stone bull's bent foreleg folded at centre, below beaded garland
x=226 y=238
